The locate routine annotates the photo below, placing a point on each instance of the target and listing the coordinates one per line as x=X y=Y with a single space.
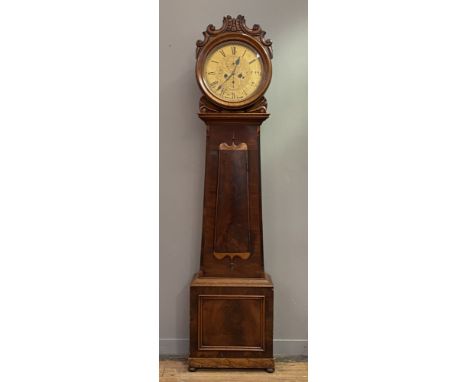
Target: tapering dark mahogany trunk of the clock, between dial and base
x=232 y=211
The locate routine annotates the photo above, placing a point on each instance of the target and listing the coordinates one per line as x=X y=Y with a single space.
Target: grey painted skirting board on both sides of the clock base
x=281 y=348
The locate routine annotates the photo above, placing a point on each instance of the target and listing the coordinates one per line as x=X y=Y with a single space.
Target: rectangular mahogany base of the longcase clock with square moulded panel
x=231 y=323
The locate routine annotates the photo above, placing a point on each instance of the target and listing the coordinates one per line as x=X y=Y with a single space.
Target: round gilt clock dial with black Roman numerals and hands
x=233 y=72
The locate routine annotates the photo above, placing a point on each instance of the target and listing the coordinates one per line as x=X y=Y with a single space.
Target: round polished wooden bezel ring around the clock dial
x=241 y=38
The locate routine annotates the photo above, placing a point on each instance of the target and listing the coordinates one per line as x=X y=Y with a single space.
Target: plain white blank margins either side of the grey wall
x=78 y=191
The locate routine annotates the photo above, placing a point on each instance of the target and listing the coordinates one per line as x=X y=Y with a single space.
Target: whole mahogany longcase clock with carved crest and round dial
x=231 y=297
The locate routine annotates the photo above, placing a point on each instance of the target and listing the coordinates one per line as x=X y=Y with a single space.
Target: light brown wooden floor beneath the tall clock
x=175 y=370
